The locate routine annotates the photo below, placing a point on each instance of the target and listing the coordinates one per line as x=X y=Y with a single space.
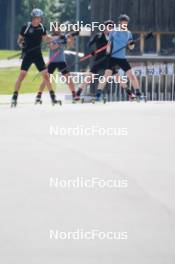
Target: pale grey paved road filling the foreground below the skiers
x=30 y=207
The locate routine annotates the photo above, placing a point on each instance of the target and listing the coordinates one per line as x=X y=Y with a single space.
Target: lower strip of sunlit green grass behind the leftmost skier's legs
x=8 y=78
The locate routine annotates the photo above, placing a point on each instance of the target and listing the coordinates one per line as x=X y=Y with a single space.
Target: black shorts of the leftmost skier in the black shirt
x=35 y=58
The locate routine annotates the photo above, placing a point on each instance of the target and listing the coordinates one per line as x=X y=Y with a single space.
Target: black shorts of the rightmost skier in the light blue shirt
x=121 y=63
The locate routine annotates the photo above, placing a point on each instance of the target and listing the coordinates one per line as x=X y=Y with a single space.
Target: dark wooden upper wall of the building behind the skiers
x=155 y=15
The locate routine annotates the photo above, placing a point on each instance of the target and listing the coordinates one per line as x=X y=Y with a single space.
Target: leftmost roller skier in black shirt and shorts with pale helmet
x=30 y=39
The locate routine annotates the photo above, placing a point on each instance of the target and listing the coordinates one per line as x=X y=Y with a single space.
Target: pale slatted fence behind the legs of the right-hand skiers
x=157 y=82
